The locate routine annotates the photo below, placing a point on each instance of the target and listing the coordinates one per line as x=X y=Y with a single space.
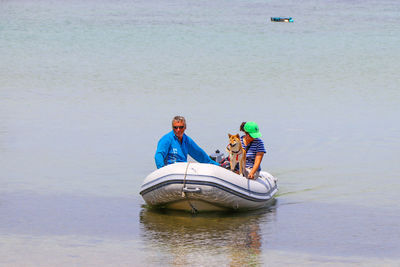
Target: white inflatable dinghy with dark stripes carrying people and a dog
x=205 y=187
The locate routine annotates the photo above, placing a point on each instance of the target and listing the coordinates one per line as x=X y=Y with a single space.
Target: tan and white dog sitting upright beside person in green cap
x=236 y=153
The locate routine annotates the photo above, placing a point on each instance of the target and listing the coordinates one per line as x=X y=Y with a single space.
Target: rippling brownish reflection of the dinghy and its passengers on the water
x=234 y=238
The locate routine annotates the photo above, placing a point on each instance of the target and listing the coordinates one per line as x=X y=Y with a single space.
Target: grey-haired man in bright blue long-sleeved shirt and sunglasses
x=176 y=145
